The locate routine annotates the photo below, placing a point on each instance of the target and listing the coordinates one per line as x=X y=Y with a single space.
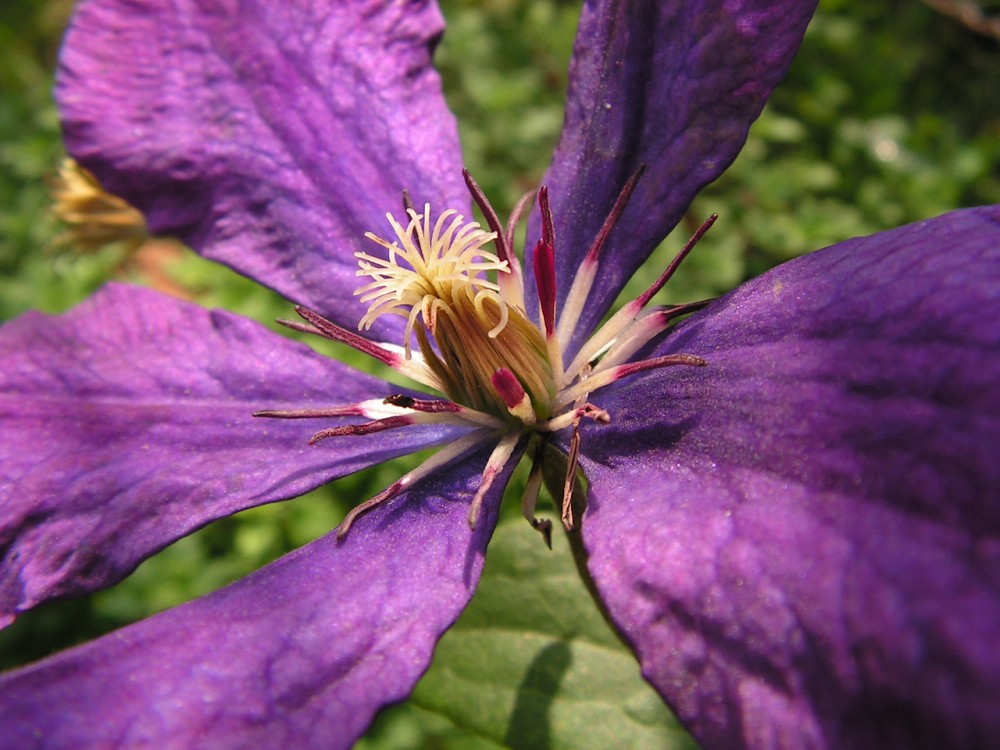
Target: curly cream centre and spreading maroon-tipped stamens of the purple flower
x=502 y=375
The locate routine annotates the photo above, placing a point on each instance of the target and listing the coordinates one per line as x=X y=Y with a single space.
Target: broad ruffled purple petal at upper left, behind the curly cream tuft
x=268 y=136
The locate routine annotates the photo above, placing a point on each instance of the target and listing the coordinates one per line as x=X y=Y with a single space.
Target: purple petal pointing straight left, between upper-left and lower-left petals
x=127 y=424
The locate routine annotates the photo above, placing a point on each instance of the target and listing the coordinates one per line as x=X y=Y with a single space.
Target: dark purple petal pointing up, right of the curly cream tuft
x=671 y=84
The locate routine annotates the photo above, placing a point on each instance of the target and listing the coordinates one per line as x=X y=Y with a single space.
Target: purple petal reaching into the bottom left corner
x=299 y=655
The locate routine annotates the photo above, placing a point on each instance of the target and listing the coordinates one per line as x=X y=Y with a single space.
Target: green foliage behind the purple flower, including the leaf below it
x=889 y=115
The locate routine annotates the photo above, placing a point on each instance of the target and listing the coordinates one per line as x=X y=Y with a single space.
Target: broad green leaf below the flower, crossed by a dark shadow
x=532 y=663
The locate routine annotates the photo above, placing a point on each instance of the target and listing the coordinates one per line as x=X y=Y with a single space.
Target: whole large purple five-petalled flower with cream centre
x=800 y=540
